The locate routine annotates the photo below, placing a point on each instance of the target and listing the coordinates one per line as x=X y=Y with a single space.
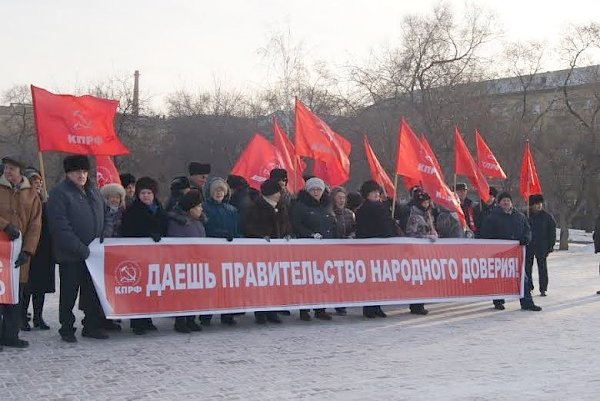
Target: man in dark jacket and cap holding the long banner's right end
x=505 y=222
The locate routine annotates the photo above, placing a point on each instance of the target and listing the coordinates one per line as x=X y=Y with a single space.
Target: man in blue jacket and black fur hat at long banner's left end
x=76 y=218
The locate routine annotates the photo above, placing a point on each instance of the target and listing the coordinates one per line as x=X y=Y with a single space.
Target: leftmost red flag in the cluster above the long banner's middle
x=257 y=161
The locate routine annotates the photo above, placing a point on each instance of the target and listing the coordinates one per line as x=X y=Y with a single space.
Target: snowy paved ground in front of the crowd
x=457 y=352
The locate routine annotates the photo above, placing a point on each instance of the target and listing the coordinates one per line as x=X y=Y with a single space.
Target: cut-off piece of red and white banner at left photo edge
x=9 y=276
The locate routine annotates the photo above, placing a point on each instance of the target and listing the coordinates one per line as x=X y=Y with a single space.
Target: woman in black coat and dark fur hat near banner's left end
x=145 y=217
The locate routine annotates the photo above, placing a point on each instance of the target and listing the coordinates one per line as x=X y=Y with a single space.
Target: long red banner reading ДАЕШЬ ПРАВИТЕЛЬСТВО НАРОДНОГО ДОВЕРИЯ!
x=138 y=278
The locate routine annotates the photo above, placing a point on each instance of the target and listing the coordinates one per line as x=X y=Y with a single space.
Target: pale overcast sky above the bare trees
x=62 y=45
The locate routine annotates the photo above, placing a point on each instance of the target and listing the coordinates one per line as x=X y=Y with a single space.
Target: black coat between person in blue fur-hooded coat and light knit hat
x=263 y=220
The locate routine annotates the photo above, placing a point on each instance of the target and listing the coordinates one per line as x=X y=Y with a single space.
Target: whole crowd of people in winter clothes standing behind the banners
x=57 y=229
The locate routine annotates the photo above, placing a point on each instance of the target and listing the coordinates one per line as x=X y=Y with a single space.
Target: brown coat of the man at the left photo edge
x=21 y=207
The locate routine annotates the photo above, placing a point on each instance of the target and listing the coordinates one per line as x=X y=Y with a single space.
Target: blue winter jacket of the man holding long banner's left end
x=76 y=218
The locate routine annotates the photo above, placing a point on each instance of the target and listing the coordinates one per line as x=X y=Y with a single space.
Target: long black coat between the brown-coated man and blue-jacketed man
x=42 y=267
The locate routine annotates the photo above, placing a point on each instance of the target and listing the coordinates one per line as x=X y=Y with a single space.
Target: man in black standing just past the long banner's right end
x=543 y=238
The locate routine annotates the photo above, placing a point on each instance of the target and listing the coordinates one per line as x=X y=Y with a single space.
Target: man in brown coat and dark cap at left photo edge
x=20 y=215
